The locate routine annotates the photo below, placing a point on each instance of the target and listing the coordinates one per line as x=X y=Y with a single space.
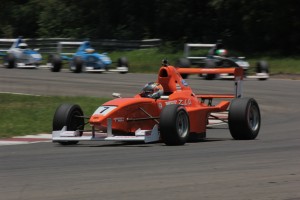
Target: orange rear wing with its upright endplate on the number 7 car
x=237 y=72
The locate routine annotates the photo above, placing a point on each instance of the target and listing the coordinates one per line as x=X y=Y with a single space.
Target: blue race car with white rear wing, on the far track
x=85 y=59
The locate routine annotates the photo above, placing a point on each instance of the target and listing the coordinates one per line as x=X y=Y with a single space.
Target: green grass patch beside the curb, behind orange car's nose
x=24 y=114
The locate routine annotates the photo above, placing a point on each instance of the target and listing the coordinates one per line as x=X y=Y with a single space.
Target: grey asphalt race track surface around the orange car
x=218 y=168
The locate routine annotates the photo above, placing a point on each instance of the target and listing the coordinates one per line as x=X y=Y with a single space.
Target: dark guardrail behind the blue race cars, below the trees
x=49 y=45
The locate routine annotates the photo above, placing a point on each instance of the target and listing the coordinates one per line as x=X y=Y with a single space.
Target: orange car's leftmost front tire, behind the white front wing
x=69 y=115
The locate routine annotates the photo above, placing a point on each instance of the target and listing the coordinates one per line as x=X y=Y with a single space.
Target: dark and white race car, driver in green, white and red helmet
x=218 y=58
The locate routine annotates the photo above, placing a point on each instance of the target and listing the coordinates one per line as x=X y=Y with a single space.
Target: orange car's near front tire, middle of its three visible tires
x=174 y=125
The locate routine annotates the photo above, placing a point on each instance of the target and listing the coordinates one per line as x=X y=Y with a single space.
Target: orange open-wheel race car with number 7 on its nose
x=166 y=110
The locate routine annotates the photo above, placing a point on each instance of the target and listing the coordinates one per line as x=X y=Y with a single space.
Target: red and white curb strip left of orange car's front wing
x=28 y=139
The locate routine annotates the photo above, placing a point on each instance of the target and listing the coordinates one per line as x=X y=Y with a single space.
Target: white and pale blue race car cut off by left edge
x=19 y=55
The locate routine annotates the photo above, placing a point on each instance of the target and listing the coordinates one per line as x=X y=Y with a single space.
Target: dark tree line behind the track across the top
x=251 y=26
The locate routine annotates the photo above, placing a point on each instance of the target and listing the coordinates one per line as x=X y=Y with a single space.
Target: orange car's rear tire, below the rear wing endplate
x=244 y=119
